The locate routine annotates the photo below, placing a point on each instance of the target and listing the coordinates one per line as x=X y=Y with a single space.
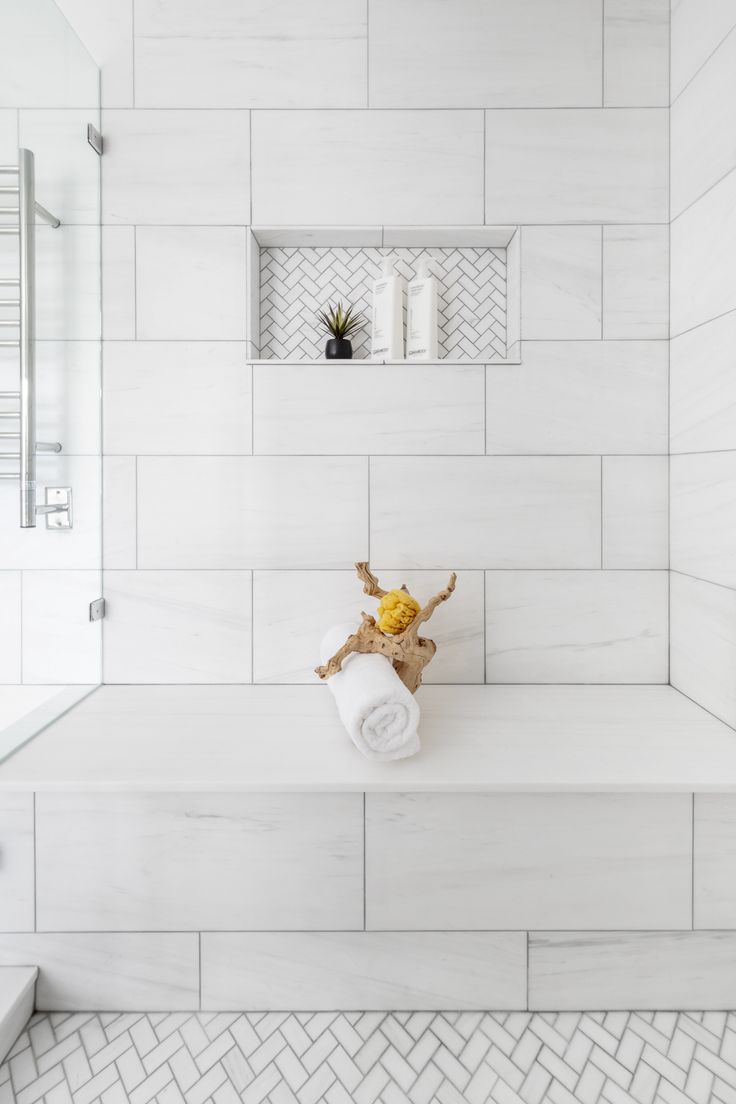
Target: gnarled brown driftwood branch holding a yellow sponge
x=409 y=652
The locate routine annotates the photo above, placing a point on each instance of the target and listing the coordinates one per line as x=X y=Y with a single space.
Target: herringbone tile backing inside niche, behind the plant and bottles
x=298 y=282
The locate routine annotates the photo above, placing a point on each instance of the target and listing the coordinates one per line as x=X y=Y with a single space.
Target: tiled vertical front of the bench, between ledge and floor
x=425 y=900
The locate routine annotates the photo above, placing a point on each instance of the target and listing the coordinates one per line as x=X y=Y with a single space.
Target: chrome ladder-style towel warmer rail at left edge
x=26 y=211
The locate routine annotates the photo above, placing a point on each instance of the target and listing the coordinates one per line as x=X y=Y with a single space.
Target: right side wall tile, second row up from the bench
x=703 y=516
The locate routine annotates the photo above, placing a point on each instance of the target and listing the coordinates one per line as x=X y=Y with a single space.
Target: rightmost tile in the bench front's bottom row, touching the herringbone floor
x=632 y=970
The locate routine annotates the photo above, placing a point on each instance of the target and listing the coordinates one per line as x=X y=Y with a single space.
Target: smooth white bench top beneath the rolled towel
x=525 y=739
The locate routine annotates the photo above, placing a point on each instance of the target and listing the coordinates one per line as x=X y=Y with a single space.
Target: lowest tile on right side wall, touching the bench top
x=703 y=644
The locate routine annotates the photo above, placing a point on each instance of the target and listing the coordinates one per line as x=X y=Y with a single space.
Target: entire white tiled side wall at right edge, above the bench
x=703 y=392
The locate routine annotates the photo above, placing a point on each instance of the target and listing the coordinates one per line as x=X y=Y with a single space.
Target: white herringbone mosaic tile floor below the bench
x=415 y=1058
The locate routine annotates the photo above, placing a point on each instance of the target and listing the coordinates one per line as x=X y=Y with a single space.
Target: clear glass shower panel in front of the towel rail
x=50 y=370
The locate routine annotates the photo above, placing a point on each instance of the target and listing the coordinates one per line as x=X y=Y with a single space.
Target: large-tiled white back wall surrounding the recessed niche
x=238 y=497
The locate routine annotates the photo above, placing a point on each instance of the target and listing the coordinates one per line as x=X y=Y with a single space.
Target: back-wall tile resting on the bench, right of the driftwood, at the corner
x=577 y=627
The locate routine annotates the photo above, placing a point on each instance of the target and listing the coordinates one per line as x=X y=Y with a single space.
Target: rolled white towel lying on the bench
x=379 y=713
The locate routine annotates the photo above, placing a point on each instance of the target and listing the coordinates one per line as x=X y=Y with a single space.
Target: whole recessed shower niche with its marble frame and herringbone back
x=295 y=272
